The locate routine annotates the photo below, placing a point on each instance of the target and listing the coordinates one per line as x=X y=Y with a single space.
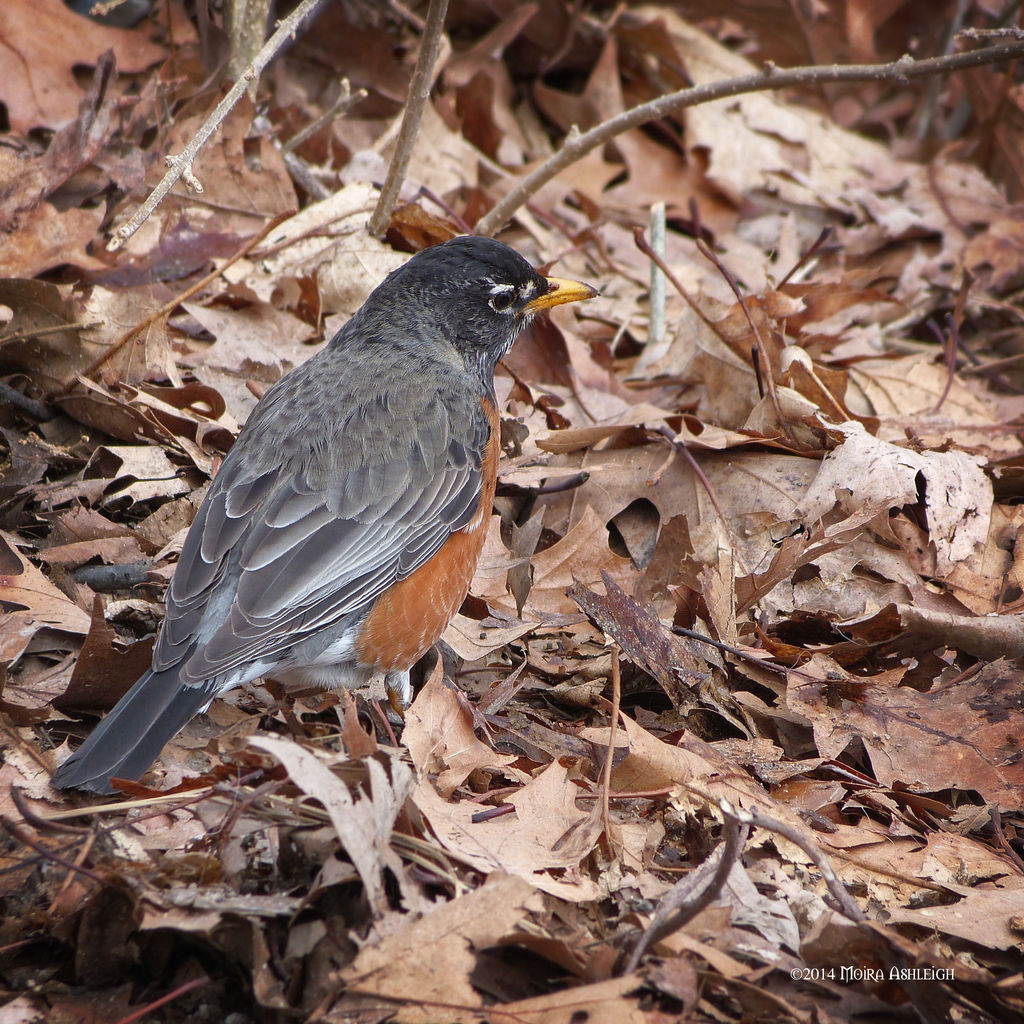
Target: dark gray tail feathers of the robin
x=132 y=737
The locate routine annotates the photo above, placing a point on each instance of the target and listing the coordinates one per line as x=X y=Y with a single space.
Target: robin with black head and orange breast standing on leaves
x=342 y=532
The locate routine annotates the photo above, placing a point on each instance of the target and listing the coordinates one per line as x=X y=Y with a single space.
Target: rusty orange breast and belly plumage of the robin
x=409 y=618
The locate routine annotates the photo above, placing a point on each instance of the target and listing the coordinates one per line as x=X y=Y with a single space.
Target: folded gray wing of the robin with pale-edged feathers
x=298 y=536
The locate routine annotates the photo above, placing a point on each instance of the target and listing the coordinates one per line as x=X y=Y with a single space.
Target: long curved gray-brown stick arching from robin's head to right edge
x=578 y=146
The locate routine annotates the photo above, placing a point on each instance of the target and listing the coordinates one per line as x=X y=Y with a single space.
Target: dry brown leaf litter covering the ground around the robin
x=816 y=594
